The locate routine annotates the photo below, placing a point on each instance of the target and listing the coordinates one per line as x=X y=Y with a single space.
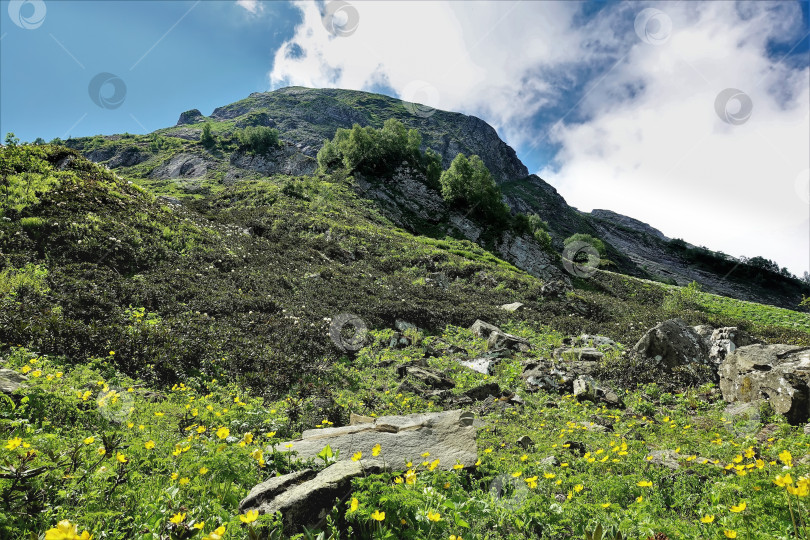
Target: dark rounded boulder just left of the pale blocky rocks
x=672 y=344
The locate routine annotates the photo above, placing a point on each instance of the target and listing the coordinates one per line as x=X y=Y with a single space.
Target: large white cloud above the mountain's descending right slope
x=666 y=158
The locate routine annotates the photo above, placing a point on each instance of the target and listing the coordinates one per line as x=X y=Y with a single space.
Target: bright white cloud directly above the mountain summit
x=479 y=60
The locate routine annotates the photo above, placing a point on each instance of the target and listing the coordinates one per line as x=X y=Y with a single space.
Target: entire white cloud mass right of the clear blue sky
x=651 y=145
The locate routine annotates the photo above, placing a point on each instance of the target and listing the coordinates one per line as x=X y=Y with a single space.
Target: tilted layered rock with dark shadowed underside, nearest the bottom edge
x=304 y=498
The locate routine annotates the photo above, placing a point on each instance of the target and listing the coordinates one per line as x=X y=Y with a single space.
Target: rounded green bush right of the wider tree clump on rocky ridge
x=469 y=184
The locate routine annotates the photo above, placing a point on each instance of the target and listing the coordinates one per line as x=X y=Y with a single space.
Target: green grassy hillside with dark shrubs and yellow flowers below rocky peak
x=170 y=349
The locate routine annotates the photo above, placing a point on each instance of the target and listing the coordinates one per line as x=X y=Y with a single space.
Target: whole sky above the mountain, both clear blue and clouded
x=613 y=103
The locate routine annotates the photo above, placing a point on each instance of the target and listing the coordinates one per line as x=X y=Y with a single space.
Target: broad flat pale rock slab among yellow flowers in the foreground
x=449 y=436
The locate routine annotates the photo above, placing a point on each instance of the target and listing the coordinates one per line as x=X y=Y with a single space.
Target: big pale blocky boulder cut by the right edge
x=778 y=373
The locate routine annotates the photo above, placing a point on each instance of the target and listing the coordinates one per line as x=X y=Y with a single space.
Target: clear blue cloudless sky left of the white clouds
x=213 y=53
